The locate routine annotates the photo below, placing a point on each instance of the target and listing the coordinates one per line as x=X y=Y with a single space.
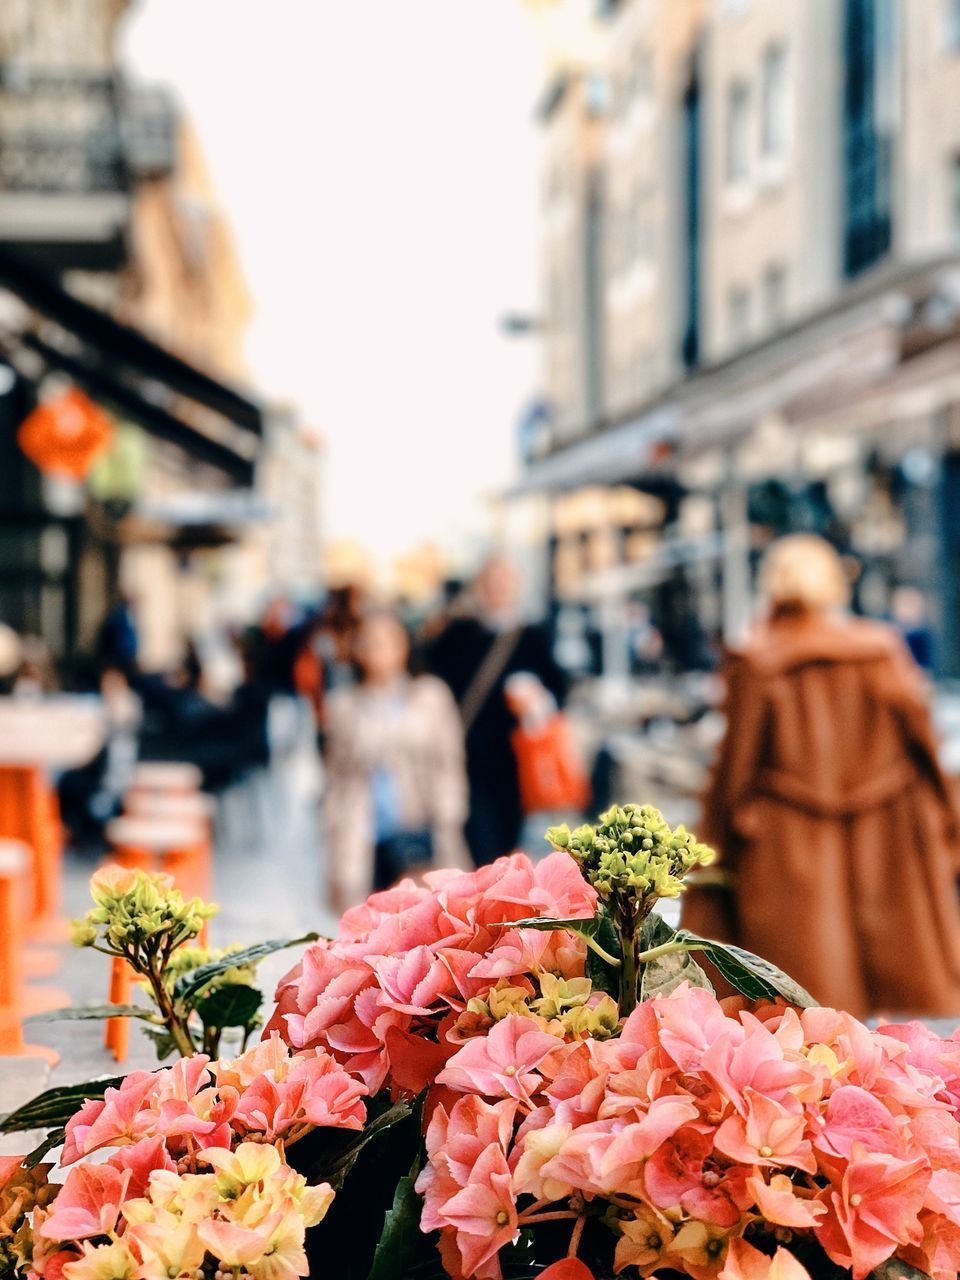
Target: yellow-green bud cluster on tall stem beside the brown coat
x=633 y=853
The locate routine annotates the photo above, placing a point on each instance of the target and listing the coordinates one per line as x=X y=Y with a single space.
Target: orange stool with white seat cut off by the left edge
x=16 y=1000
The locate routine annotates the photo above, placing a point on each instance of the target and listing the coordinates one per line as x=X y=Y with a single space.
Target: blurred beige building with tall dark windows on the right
x=752 y=301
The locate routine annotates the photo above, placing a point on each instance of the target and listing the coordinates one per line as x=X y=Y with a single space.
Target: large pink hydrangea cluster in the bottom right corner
x=707 y=1140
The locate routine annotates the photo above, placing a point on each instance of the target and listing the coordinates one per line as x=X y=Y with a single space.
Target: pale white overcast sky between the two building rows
x=377 y=159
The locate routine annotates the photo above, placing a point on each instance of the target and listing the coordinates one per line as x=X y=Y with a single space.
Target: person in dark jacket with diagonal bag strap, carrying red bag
x=476 y=655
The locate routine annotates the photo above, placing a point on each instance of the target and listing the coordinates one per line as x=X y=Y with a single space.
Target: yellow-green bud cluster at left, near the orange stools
x=134 y=908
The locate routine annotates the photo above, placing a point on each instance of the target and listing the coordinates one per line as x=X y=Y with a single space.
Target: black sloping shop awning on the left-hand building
x=129 y=373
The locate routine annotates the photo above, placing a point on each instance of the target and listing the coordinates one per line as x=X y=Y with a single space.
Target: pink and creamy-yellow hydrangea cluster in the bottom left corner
x=196 y=1183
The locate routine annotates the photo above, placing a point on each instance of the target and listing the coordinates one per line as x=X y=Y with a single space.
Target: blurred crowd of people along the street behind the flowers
x=441 y=734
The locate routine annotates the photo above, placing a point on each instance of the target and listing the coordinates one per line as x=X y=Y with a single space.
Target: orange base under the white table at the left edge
x=30 y=812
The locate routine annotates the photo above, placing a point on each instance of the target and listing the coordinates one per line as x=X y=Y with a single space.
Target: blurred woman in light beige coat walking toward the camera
x=397 y=792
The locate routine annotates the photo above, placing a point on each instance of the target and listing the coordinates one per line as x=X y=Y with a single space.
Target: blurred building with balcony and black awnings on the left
x=118 y=276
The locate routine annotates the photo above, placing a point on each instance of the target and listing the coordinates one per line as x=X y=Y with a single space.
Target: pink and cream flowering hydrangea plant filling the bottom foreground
x=522 y=1072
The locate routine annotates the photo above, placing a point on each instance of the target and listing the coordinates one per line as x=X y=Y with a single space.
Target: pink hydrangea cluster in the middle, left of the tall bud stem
x=418 y=970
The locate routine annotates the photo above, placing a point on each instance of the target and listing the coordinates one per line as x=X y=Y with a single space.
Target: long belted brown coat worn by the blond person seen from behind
x=830 y=808
